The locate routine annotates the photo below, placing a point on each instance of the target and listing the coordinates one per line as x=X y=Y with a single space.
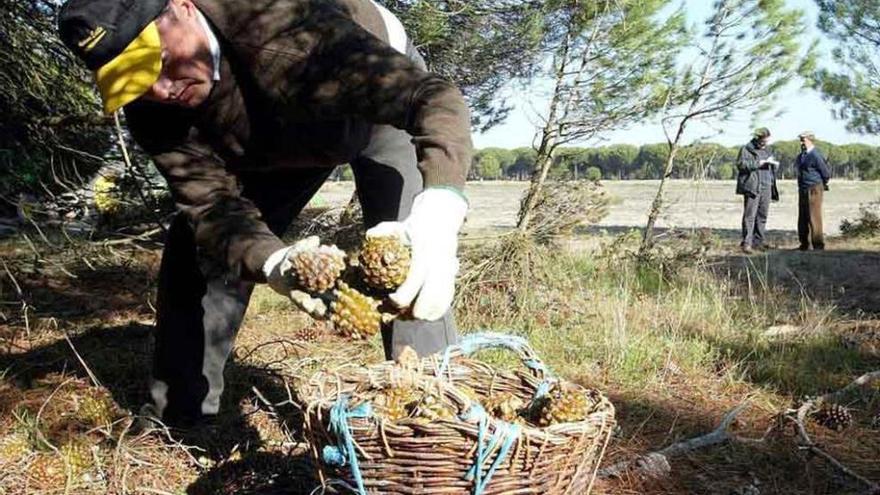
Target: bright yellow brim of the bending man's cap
x=132 y=73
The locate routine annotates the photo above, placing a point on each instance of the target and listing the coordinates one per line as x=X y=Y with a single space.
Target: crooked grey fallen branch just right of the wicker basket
x=656 y=464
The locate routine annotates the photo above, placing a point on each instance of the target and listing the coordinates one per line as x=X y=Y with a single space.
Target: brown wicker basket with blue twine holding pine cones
x=359 y=452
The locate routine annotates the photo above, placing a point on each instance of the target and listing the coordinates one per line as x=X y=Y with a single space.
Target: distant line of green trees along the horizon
x=697 y=161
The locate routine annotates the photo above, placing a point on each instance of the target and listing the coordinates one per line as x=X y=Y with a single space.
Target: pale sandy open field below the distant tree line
x=710 y=204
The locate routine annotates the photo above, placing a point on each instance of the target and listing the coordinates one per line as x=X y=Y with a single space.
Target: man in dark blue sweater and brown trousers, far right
x=813 y=177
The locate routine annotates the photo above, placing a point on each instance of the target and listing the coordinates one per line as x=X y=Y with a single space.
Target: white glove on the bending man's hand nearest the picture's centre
x=431 y=231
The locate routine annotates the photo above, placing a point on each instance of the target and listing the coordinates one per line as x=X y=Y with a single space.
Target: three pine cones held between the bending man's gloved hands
x=355 y=284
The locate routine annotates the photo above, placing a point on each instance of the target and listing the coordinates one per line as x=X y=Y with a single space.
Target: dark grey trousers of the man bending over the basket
x=201 y=306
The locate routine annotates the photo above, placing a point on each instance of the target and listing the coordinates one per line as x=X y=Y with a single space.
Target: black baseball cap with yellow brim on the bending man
x=118 y=41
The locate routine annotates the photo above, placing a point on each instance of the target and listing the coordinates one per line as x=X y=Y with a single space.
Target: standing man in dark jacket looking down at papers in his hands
x=756 y=182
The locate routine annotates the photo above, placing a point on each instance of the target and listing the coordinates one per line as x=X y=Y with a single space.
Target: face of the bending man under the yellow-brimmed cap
x=187 y=67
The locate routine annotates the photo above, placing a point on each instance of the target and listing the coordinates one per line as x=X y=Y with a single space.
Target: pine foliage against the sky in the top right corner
x=854 y=81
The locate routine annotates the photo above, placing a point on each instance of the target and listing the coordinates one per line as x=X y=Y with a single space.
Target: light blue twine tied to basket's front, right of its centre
x=505 y=433
